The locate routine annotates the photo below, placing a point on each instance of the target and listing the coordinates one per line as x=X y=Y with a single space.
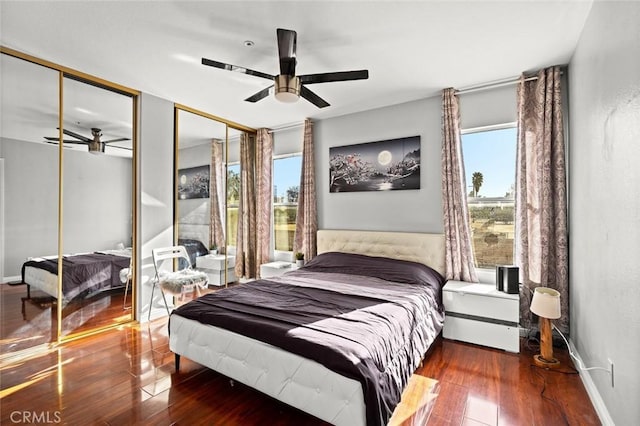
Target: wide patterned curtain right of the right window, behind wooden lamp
x=541 y=205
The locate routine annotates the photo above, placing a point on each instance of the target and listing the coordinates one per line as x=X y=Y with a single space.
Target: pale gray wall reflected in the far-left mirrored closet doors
x=97 y=201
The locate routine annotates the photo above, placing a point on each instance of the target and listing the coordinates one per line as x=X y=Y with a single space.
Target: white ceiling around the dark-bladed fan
x=412 y=49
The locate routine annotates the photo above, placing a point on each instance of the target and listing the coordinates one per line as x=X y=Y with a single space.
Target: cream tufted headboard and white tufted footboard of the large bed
x=290 y=378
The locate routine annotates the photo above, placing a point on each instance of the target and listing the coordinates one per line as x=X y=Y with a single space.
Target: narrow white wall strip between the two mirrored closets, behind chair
x=155 y=225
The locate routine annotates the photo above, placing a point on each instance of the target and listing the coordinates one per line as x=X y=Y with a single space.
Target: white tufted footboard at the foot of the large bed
x=290 y=378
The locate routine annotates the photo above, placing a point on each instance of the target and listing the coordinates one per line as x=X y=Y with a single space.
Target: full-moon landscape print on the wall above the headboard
x=392 y=164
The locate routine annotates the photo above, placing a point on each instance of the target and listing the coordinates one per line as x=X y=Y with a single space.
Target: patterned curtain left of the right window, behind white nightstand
x=459 y=261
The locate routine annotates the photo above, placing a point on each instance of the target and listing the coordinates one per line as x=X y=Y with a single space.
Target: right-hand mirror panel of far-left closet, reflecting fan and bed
x=98 y=211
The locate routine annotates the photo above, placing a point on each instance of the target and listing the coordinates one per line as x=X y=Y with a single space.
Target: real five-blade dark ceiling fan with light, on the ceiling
x=289 y=86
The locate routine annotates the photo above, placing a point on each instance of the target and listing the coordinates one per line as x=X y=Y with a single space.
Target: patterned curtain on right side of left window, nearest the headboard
x=307 y=218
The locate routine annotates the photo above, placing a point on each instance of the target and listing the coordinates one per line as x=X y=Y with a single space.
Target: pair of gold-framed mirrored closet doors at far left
x=68 y=155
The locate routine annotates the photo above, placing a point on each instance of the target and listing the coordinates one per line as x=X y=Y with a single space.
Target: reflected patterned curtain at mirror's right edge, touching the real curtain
x=246 y=238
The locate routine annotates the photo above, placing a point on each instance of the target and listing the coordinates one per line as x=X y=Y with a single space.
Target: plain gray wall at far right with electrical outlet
x=604 y=77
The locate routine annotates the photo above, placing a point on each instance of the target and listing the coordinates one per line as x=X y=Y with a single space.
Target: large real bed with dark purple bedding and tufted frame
x=308 y=355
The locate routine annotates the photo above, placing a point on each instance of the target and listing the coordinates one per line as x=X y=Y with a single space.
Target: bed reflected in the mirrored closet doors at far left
x=83 y=275
